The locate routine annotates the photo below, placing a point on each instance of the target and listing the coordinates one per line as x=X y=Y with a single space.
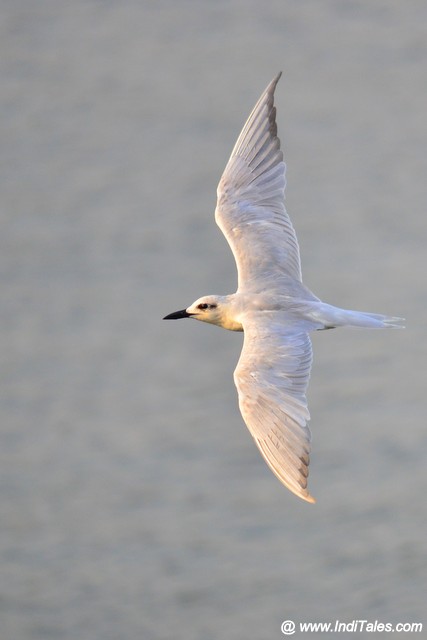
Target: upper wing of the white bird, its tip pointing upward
x=251 y=200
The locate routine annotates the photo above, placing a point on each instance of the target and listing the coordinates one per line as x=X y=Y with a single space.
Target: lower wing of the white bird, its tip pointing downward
x=271 y=378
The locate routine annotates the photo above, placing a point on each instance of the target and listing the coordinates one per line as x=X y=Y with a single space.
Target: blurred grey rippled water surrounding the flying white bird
x=133 y=503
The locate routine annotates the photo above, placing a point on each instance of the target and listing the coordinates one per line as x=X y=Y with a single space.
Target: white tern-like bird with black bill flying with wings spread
x=272 y=306
